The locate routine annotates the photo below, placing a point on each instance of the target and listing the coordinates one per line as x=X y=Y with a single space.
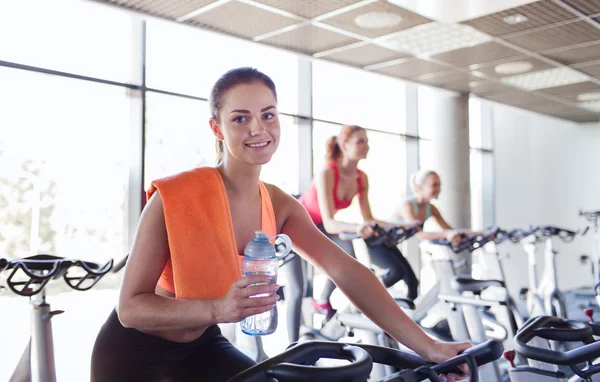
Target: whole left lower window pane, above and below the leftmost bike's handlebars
x=64 y=164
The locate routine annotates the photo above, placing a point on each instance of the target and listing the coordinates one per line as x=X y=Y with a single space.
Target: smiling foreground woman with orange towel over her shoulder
x=194 y=228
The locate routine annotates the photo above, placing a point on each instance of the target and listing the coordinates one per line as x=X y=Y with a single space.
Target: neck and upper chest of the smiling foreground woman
x=241 y=179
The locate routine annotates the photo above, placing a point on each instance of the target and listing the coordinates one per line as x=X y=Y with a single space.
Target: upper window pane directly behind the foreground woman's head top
x=187 y=60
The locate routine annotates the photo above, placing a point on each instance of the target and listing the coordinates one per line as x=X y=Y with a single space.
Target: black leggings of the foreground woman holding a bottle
x=124 y=354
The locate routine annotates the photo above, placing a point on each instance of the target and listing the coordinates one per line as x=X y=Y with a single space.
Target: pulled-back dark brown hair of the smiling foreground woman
x=230 y=79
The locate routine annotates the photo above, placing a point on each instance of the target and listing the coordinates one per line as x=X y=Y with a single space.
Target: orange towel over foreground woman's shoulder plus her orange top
x=204 y=261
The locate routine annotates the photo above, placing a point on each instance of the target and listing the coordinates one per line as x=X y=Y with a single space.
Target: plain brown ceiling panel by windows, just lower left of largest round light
x=309 y=39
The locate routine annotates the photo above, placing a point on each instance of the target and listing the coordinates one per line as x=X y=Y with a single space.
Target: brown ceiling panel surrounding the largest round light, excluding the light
x=347 y=22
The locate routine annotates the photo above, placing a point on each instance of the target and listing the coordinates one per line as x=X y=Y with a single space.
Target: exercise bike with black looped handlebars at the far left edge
x=28 y=277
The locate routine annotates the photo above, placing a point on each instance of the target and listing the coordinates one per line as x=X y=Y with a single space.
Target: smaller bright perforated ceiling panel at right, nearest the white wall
x=548 y=78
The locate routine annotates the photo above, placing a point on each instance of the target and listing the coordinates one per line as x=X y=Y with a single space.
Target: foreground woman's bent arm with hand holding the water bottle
x=141 y=308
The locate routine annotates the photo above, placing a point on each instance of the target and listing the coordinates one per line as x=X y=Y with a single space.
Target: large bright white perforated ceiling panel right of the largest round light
x=433 y=38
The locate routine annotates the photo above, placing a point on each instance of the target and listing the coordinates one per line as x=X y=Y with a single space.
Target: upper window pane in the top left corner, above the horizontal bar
x=69 y=36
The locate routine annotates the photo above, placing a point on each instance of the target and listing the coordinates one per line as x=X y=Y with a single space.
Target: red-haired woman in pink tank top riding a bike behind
x=333 y=189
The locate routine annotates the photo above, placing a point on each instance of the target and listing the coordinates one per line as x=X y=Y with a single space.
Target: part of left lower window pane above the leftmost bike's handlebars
x=59 y=140
